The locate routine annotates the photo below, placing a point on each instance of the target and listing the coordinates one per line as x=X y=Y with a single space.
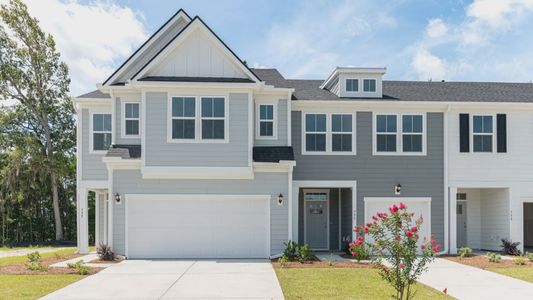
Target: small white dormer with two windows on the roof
x=355 y=82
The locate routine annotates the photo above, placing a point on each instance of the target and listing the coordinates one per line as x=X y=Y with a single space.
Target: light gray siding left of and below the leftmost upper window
x=92 y=166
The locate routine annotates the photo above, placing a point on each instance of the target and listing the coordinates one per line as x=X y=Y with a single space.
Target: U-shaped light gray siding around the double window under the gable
x=161 y=153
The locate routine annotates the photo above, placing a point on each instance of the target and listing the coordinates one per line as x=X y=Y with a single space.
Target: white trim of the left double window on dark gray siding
x=329 y=133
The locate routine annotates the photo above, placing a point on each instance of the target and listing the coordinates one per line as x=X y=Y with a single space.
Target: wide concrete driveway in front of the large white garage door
x=178 y=279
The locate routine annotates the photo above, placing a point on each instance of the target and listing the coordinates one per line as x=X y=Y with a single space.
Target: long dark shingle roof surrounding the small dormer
x=410 y=90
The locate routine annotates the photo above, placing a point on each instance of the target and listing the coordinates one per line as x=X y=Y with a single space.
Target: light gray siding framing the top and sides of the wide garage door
x=131 y=182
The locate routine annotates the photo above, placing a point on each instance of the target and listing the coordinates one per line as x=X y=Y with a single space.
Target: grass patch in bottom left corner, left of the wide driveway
x=33 y=286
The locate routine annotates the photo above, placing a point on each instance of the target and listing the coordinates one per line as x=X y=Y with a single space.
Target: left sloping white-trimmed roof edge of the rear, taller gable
x=179 y=15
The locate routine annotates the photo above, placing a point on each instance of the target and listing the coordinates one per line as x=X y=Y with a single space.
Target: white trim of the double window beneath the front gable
x=198 y=121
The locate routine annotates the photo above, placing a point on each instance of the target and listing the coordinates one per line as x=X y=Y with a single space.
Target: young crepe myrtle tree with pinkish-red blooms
x=397 y=250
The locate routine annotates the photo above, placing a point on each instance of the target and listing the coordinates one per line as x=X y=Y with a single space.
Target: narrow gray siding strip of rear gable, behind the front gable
x=150 y=51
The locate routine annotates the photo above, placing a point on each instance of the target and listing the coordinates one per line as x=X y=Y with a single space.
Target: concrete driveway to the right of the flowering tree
x=466 y=282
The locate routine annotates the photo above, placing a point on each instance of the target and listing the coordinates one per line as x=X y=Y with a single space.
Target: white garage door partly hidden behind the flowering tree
x=419 y=206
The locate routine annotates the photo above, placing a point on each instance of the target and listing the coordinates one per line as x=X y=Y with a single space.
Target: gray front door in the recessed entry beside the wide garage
x=316 y=219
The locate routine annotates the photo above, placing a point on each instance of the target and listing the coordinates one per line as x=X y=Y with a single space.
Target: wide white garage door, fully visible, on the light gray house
x=197 y=226
